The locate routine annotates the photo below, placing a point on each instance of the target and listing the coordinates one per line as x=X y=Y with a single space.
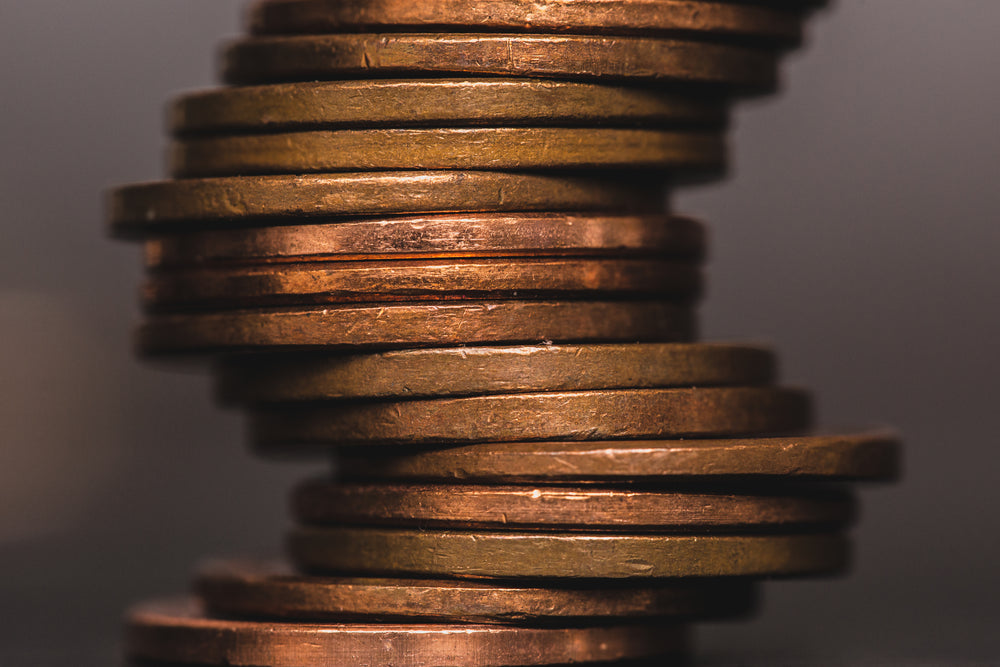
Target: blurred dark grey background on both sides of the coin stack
x=859 y=234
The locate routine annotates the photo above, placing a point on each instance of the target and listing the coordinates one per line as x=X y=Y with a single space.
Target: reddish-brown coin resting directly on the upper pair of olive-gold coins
x=312 y=57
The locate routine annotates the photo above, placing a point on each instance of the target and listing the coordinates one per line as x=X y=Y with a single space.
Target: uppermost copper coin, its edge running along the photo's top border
x=695 y=17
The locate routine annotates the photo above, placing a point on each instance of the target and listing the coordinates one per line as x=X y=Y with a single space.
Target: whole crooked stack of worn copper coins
x=434 y=237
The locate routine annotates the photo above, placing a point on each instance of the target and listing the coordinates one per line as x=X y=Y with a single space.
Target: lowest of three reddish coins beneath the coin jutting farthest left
x=416 y=324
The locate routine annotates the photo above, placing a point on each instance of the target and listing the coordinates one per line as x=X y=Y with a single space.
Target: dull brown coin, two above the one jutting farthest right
x=467 y=371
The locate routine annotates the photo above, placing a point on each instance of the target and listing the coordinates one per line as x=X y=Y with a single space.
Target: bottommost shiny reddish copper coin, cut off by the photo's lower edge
x=177 y=631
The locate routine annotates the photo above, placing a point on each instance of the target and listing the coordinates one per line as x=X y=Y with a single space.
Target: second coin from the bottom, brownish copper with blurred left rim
x=271 y=590
